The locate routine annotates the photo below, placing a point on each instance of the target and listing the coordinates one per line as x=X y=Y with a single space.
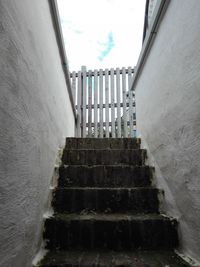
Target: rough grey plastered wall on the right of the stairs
x=168 y=116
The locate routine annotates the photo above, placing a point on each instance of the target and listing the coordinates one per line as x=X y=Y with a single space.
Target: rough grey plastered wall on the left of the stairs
x=35 y=117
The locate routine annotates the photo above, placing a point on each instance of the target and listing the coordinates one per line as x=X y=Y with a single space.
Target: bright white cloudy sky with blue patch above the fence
x=102 y=33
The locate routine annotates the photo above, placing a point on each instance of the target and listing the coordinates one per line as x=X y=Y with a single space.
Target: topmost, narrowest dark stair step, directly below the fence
x=102 y=143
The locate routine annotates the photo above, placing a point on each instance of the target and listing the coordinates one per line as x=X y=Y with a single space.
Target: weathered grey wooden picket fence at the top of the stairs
x=104 y=103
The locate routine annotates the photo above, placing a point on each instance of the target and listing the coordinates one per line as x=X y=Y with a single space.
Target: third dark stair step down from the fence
x=105 y=176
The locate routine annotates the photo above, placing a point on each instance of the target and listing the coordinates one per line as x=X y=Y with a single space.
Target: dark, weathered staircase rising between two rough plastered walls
x=106 y=211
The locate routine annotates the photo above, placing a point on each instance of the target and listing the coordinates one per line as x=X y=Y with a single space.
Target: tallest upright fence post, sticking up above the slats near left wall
x=84 y=93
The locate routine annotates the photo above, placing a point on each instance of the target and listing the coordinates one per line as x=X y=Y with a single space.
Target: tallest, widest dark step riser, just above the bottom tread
x=110 y=231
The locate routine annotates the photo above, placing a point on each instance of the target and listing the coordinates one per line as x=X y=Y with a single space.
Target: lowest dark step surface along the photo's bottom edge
x=112 y=259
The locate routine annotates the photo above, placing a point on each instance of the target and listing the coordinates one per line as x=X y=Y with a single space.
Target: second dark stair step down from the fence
x=104 y=157
